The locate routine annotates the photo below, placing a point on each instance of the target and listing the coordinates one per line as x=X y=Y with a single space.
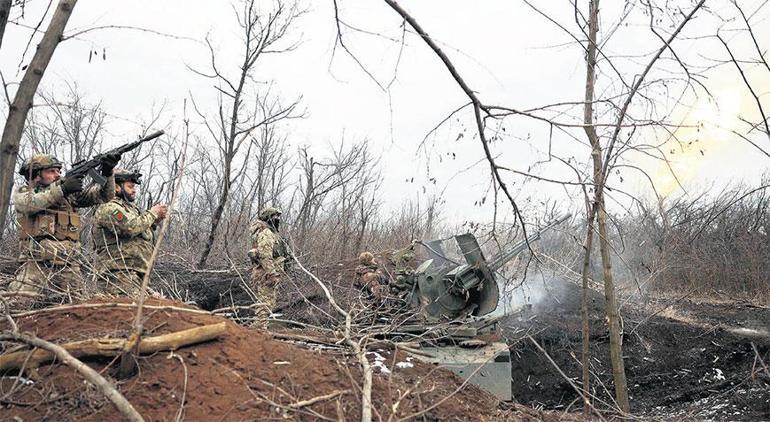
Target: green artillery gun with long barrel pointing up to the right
x=454 y=301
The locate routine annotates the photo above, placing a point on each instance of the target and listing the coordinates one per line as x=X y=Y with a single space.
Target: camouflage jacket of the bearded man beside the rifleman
x=123 y=236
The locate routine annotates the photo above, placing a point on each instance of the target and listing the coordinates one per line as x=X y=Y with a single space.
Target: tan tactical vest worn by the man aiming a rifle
x=61 y=222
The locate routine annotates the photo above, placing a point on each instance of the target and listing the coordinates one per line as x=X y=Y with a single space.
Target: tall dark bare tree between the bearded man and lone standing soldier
x=240 y=113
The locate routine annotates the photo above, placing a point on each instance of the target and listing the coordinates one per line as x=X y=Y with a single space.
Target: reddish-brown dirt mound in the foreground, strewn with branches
x=246 y=375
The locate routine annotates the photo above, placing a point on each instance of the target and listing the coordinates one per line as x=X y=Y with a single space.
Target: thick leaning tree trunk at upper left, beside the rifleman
x=22 y=102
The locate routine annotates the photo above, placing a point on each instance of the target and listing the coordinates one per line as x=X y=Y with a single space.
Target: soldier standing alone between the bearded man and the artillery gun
x=268 y=253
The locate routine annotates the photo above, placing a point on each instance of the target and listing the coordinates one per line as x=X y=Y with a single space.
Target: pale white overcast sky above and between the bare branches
x=510 y=55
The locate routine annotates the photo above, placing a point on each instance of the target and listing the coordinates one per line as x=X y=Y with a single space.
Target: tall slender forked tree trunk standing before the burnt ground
x=611 y=307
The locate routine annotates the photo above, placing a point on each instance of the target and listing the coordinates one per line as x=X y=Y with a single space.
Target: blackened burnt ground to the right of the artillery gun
x=684 y=358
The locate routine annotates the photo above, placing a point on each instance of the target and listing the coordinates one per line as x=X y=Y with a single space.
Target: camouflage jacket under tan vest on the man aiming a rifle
x=49 y=223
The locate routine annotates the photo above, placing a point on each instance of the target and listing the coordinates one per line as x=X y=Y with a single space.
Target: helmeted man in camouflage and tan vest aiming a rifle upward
x=49 y=233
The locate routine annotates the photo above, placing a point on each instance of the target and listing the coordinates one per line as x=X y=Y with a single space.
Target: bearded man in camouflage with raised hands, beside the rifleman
x=123 y=237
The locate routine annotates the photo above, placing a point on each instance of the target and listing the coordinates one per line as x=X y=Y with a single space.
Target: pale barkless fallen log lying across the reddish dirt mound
x=114 y=346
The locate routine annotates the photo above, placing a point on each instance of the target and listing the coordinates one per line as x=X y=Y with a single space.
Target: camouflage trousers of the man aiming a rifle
x=54 y=283
